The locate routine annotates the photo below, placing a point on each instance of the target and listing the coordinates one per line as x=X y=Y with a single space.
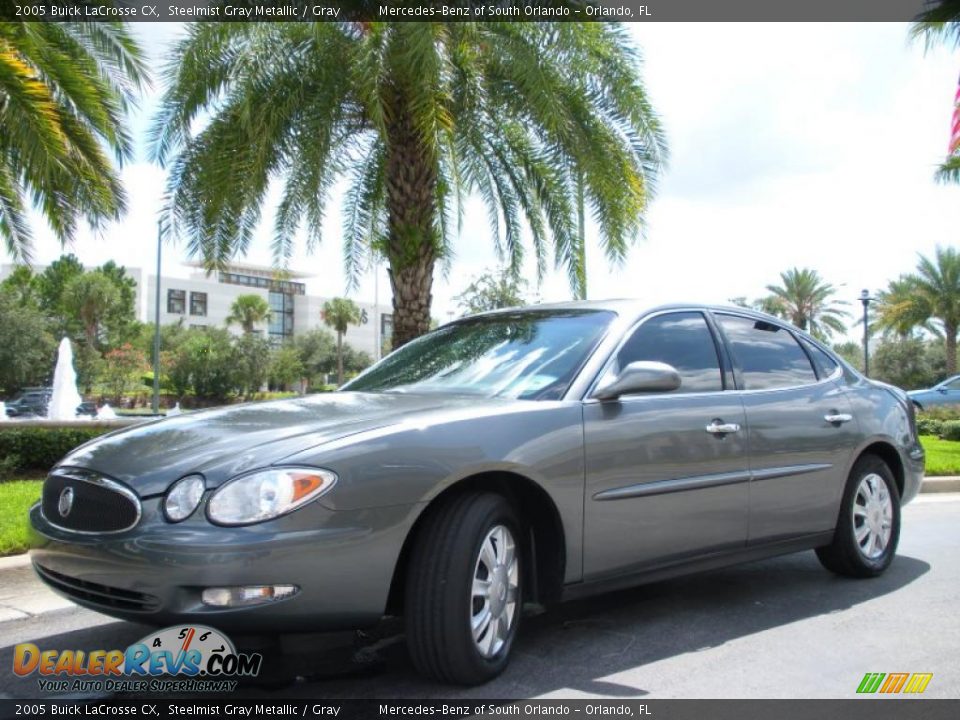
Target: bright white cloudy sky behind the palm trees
x=807 y=145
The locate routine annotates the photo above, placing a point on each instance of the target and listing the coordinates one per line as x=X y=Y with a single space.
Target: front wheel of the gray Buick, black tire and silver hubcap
x=464 y=590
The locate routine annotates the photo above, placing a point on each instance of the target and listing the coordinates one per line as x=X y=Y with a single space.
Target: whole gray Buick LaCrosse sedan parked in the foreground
x=517 y=456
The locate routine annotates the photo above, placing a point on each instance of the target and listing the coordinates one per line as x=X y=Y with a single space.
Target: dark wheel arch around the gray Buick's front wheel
x=546 y=546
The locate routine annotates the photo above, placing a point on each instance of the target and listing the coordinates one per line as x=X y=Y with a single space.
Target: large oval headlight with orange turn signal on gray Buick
x=267 y=494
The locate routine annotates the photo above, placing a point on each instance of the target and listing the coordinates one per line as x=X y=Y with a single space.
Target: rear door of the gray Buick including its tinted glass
x=800 y=430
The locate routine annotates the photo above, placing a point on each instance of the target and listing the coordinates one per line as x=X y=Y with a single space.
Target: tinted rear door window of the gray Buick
x=769 y=355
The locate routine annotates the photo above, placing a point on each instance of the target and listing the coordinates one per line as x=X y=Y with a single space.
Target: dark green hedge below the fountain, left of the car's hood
x=39 y=447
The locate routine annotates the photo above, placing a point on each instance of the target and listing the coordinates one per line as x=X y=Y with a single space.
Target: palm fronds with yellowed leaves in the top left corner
x=64 y=93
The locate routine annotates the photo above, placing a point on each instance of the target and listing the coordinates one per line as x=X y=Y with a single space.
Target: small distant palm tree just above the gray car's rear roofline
x=805 y=299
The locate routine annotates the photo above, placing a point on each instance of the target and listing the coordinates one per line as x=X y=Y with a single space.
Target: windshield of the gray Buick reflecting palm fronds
x=533 y=354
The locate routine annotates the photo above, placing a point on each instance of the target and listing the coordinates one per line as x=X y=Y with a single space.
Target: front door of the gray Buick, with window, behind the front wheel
x=662 y=483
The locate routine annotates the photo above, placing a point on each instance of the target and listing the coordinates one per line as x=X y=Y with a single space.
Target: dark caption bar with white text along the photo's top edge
x=461 y=10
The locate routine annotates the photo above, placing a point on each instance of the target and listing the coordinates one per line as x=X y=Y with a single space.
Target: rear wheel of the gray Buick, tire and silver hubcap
x=868 y=528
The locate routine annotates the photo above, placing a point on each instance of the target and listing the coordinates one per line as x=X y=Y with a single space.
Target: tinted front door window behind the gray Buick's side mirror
x=680 y=339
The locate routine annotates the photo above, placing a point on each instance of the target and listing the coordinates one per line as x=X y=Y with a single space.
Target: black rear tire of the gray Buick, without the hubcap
x=844 y=555
